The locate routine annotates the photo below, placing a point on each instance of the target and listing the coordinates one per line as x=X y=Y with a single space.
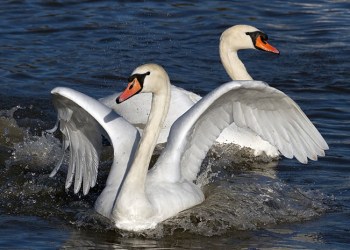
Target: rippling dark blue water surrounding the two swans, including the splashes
x=93 y=46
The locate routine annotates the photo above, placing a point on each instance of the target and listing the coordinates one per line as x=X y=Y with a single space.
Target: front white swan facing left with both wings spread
x=136 y=198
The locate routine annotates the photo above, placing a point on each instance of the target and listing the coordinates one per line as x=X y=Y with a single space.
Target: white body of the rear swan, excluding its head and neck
x=137 y=109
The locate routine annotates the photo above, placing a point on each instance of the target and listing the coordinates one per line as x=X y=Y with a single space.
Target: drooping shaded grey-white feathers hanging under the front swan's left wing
x=82 y=135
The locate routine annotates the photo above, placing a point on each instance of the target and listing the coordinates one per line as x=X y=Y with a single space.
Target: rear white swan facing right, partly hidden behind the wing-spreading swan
x=233 y=39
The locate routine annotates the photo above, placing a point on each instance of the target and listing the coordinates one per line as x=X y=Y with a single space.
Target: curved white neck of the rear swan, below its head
x=232 y=64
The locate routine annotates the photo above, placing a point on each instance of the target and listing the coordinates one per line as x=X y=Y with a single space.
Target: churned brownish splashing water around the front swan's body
x=242 y=192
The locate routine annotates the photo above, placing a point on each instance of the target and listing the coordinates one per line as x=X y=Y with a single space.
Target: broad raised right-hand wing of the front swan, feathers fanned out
x=249 y=104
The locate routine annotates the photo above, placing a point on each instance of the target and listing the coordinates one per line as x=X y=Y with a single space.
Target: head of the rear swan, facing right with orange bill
x=246 y=37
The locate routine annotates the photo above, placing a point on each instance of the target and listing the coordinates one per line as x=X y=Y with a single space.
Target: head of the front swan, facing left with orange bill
x=147 y=78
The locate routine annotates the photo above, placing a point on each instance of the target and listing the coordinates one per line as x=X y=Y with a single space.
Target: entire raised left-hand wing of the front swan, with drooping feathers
x=82 y=121
